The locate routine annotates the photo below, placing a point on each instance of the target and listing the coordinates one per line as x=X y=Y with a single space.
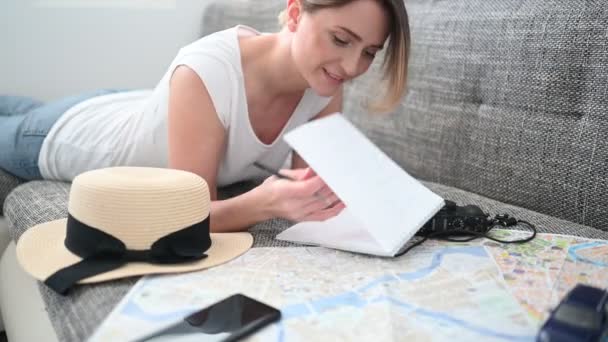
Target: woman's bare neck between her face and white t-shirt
x=269 y=67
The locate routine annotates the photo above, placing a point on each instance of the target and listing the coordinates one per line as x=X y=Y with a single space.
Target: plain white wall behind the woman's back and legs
x=52 y=51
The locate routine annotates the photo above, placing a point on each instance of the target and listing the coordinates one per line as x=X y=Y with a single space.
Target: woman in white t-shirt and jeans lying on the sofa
x=224 y=103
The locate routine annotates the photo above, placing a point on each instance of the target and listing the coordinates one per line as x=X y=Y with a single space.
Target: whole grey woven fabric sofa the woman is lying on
x=507 y=109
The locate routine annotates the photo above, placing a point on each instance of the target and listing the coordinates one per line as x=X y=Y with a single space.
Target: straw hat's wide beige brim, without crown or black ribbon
x=41 y=252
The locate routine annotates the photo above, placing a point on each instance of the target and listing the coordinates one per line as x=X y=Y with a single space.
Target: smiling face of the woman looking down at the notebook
x=334 y=45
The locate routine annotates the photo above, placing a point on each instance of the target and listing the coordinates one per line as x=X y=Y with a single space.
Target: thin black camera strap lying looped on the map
x=466 y=235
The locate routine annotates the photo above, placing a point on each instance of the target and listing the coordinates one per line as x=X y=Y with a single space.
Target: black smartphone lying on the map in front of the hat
x=230 y=319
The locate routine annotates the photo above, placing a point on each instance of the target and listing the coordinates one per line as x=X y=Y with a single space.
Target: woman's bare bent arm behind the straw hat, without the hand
x=197 y=142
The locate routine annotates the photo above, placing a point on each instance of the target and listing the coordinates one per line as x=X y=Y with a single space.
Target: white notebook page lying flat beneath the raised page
x=343 y=232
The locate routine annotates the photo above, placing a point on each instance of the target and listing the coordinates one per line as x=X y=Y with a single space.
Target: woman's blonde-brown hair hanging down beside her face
x=397 y=56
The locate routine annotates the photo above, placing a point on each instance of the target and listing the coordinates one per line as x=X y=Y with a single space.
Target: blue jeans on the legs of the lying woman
x=24 y=123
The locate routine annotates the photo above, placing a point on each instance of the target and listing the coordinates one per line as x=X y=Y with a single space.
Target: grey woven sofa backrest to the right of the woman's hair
x=508 y=99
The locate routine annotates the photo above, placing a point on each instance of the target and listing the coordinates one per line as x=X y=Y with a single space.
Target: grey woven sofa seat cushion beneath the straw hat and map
x=76 y=316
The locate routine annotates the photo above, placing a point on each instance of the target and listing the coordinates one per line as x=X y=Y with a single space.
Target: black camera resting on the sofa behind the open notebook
x=451 y=218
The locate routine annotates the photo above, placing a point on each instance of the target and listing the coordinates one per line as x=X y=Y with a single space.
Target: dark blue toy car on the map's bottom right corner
x=582 y=315
